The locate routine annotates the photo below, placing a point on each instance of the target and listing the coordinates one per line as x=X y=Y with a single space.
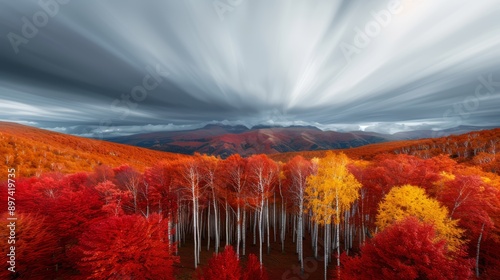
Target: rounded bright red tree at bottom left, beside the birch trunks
x=127 y=247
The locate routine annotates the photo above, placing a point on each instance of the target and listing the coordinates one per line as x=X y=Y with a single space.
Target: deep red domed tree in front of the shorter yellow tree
x=406 y=250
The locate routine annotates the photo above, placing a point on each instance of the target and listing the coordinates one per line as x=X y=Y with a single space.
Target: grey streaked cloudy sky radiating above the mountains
x=117 y=67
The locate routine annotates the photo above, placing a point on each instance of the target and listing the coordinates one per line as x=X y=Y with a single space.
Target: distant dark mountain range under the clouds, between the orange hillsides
x=225 y=140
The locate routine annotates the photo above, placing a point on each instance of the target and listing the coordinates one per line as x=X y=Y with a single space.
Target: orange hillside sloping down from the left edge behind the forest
x=33 y=151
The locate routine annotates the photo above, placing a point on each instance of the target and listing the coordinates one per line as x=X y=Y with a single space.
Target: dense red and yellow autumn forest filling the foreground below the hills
x=392 y=216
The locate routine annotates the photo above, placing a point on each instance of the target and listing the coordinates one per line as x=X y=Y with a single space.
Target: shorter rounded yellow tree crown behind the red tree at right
x=408 y=200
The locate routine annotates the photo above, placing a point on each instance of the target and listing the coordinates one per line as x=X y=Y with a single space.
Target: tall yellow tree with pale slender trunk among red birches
x=331 y=191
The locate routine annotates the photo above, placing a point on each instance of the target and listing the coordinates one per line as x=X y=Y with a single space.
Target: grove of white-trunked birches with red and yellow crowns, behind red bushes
x=208 y=199
